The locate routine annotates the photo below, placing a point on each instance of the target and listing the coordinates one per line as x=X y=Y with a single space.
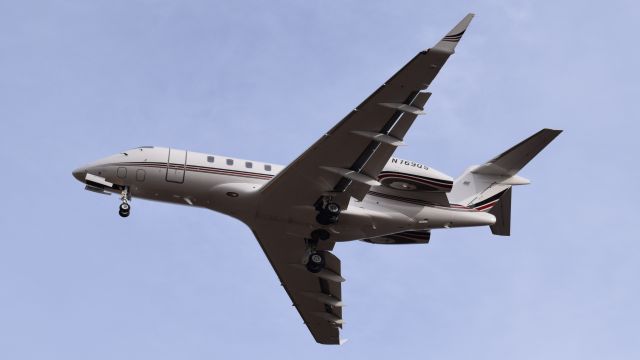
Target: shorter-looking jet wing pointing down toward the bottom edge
x=317 y=297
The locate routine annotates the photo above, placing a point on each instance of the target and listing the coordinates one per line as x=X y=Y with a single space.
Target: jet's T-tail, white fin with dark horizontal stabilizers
x=487 y=187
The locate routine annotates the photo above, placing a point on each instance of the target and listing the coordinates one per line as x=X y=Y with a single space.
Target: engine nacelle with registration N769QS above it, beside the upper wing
x=408 y=175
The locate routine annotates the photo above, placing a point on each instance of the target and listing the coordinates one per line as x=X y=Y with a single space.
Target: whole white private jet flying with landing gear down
x=347 y=186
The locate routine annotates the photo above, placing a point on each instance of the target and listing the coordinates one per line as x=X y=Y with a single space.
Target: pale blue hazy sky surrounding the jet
x=80 y=80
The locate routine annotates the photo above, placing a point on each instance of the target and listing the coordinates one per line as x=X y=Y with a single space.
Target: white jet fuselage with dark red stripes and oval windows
x=231 y=186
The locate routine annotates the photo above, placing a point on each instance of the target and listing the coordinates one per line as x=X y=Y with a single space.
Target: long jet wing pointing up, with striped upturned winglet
x=346 y=161
